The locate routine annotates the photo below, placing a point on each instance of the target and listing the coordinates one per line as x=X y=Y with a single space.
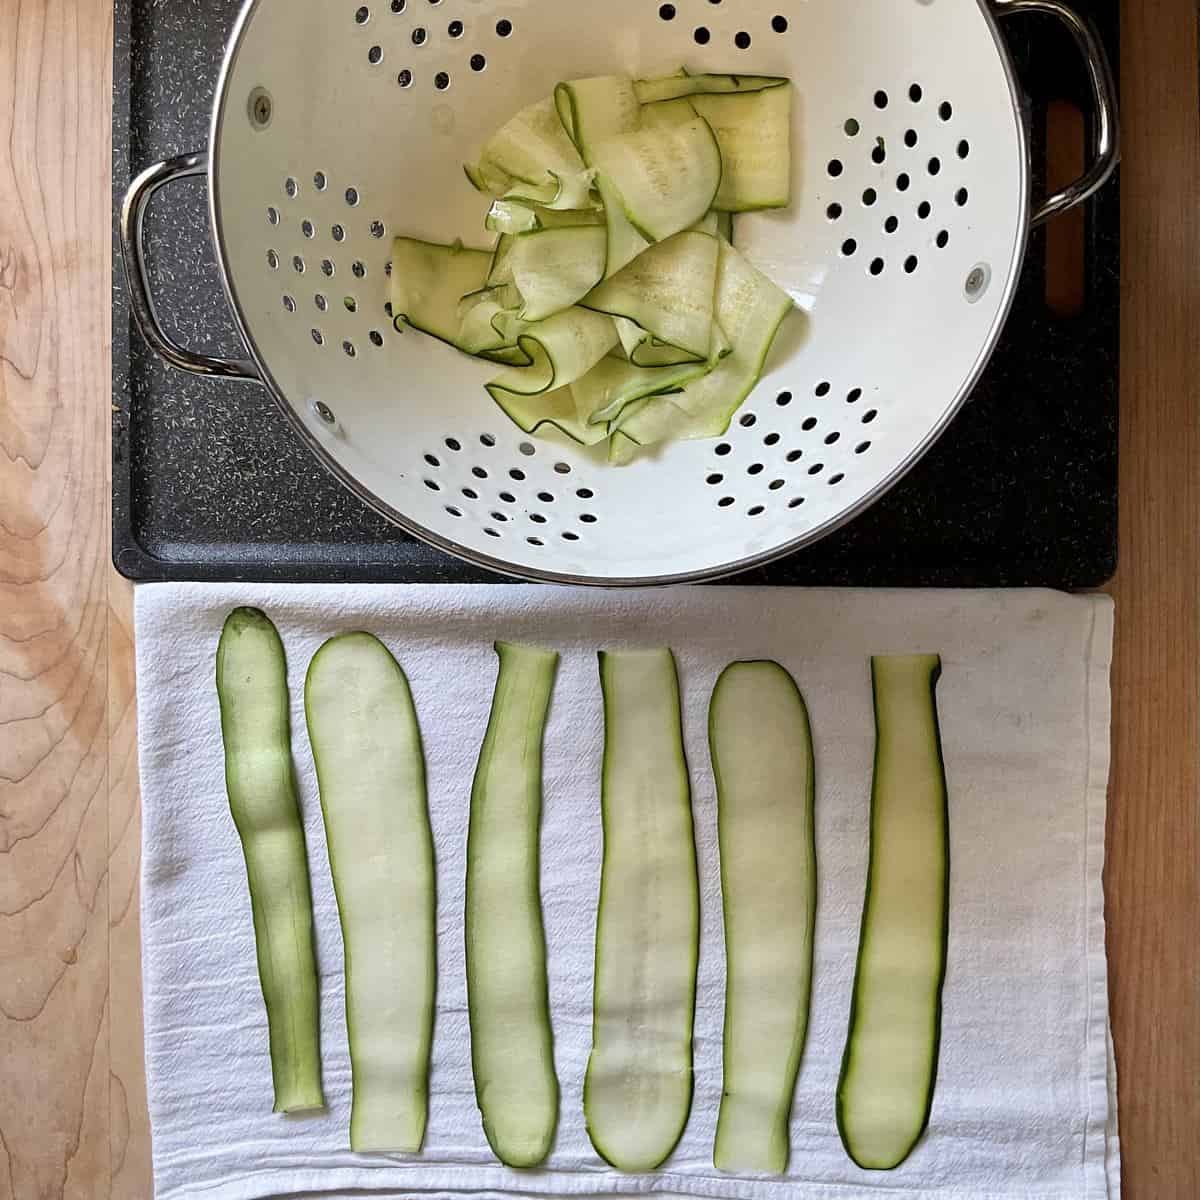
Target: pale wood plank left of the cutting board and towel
x=56 y=82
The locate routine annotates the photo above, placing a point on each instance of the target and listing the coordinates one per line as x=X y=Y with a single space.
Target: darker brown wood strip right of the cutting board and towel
x=1154 y=862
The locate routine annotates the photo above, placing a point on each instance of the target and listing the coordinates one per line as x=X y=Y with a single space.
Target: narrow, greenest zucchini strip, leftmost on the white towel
x=253 y=689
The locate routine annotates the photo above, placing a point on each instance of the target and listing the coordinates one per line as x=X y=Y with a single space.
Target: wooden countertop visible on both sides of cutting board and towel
x=73 y=1102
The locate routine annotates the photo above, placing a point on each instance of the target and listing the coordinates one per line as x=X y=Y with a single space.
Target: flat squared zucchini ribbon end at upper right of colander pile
x=754 y=131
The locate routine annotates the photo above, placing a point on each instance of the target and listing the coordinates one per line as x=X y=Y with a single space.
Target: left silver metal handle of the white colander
x=134 y=211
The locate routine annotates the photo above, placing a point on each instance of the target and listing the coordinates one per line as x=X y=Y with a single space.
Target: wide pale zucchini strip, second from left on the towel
x=367 y=746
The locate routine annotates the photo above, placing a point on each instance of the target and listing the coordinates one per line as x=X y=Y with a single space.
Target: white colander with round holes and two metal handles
x=340 y=124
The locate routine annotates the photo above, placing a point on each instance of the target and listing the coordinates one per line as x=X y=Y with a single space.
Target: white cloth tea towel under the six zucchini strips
x=1024 y=1106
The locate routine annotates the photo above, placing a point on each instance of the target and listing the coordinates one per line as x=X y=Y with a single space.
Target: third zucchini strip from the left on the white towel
x=512 y=1046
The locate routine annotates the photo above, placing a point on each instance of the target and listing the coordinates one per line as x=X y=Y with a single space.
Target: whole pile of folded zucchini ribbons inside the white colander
x=614 y=298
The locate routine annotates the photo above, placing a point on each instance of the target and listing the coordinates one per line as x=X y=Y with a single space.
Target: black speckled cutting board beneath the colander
x=209 y=482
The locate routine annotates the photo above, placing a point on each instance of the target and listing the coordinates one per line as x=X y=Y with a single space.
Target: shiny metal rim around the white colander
x=532 y=574
